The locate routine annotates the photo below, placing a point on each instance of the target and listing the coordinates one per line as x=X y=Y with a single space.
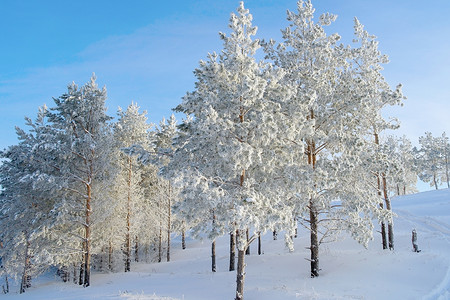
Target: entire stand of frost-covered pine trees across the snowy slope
x=295 y=139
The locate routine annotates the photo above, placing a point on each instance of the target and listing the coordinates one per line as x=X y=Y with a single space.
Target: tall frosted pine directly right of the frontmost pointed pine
x=325 y=79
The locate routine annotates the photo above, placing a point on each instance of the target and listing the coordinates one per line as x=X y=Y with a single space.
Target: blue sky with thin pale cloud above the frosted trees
x=146 y=51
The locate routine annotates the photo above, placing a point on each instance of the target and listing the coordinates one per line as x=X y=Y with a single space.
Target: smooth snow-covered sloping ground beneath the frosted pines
x=348 y=270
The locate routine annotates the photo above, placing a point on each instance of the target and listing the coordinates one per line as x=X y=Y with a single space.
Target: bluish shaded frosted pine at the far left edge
x=26 y=209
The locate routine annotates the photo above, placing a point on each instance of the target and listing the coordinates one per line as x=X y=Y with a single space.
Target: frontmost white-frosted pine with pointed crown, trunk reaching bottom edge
x=229 y=159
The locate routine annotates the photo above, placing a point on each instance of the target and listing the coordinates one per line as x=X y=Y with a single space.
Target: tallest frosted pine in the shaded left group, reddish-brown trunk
x=84 y=141
